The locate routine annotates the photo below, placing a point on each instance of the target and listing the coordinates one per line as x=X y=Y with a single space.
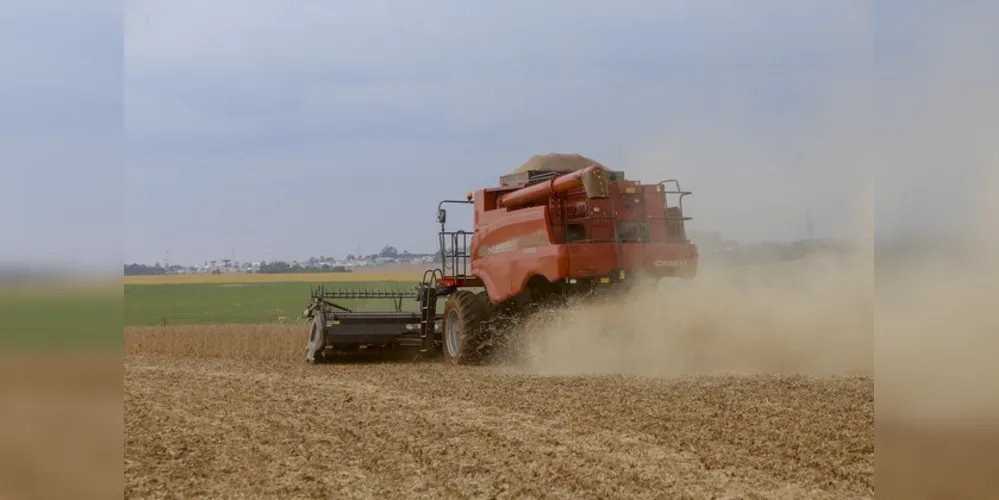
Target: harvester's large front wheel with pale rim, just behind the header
x=464 y=338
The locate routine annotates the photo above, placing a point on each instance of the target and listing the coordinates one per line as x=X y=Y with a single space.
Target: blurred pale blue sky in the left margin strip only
x=60 y=132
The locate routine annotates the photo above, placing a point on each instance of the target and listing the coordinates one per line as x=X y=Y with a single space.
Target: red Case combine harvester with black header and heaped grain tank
x=540 y=235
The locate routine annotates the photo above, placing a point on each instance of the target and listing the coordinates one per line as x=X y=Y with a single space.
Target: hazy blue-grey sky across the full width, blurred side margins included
x=283 y=130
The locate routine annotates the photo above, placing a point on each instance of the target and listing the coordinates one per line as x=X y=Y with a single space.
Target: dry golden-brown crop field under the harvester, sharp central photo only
x=233 y=410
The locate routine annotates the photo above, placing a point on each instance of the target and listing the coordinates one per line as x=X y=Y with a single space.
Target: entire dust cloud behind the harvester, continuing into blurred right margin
x=928 y=304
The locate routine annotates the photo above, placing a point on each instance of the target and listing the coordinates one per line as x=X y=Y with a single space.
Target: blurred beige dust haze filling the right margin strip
x=937 y=314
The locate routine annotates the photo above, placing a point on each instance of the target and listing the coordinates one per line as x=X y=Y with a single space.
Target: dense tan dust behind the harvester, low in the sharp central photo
x=814 y=316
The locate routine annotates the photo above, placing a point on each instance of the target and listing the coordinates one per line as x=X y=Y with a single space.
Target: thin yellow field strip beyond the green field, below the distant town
x=265 y=278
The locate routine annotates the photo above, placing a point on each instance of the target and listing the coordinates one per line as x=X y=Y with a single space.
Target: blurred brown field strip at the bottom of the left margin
x=62 y=430
